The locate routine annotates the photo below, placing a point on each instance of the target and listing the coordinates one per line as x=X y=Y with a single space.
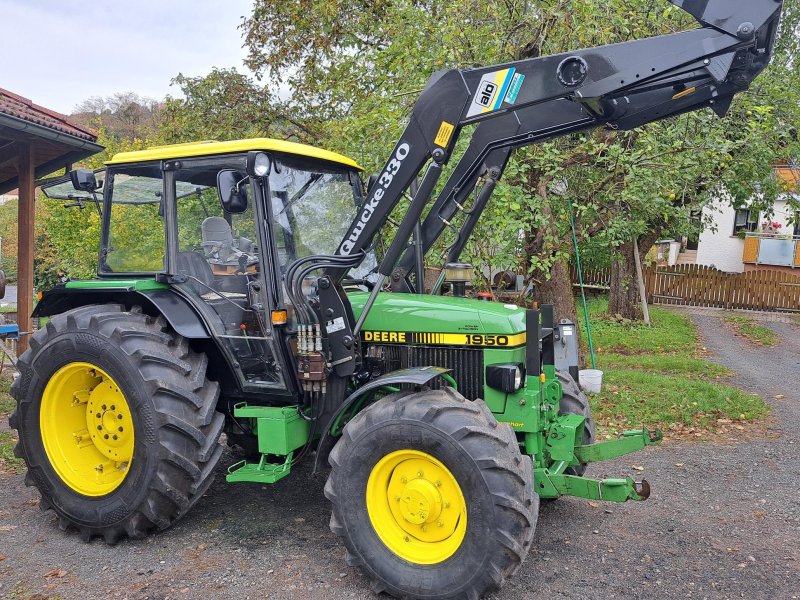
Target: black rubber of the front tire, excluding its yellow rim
x=484 y=458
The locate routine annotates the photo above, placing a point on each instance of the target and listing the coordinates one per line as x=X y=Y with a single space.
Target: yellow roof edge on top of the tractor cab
x=208 y=148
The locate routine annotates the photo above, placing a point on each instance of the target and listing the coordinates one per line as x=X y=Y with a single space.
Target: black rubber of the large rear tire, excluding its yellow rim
x=172 y=405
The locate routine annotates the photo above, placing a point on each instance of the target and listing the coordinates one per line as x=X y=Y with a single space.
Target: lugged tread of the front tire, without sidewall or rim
x=509 y=476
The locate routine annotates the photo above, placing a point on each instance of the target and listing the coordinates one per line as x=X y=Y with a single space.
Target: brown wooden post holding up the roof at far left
x=25 y=215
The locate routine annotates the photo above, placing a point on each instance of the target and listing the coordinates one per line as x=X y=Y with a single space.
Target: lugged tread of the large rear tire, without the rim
x=187 y=426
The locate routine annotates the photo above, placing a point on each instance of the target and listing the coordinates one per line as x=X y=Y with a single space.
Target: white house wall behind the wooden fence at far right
x=719 y=248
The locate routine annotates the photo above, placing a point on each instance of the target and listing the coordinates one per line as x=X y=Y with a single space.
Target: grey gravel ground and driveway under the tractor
x=723 y=522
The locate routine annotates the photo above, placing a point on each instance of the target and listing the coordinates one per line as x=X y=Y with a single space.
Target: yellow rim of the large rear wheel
x=87 y=429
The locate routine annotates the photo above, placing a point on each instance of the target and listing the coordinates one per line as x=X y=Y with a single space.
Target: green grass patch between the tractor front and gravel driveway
x=655 y=376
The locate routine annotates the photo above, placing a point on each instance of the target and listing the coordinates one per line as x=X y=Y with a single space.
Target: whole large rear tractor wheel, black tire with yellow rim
x=116 y=421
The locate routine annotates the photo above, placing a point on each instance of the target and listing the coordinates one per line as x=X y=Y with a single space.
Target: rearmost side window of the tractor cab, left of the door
x=136 y=236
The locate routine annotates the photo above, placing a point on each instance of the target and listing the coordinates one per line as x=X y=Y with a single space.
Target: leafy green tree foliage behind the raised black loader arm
x=351 y=71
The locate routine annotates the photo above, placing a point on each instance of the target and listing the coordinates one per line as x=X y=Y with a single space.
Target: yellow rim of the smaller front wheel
x=416 y=507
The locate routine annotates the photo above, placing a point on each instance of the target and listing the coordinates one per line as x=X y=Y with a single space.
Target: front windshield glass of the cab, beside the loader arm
x=313 y=207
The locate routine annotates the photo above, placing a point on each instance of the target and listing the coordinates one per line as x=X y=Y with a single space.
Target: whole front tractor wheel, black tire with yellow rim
x=432 y=496
